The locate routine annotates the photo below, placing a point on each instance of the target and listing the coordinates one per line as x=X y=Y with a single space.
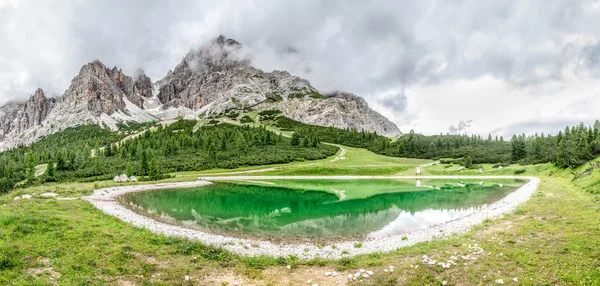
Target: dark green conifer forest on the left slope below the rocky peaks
x=91 y=153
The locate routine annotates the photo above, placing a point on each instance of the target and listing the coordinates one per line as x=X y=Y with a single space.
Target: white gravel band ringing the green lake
x=105 y=200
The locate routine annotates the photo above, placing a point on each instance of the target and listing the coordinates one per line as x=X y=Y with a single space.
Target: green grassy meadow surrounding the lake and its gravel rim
x=552 y=239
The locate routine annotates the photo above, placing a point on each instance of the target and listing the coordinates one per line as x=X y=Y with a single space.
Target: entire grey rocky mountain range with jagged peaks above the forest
x=212 y=80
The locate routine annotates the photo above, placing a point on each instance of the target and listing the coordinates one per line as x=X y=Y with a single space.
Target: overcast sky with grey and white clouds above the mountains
x=497 y=67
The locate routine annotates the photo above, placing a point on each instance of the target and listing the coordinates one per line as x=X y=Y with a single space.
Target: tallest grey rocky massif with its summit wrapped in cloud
x=214 y=80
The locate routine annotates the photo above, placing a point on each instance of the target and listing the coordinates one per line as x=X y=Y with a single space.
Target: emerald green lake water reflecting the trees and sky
x=321 y=208
